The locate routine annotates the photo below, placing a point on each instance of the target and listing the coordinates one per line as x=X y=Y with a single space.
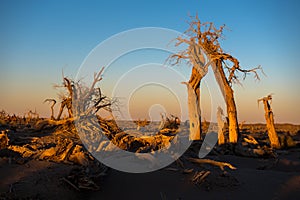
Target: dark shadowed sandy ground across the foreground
x=254 y=179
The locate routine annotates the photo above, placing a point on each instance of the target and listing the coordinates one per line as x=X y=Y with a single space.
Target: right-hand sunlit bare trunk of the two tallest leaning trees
x=229 y=100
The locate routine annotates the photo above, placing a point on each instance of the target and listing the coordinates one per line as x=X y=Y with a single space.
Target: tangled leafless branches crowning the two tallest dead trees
x=205 y=36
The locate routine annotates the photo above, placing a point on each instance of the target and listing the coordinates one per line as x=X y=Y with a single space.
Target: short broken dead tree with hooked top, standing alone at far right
x=273 y=137
